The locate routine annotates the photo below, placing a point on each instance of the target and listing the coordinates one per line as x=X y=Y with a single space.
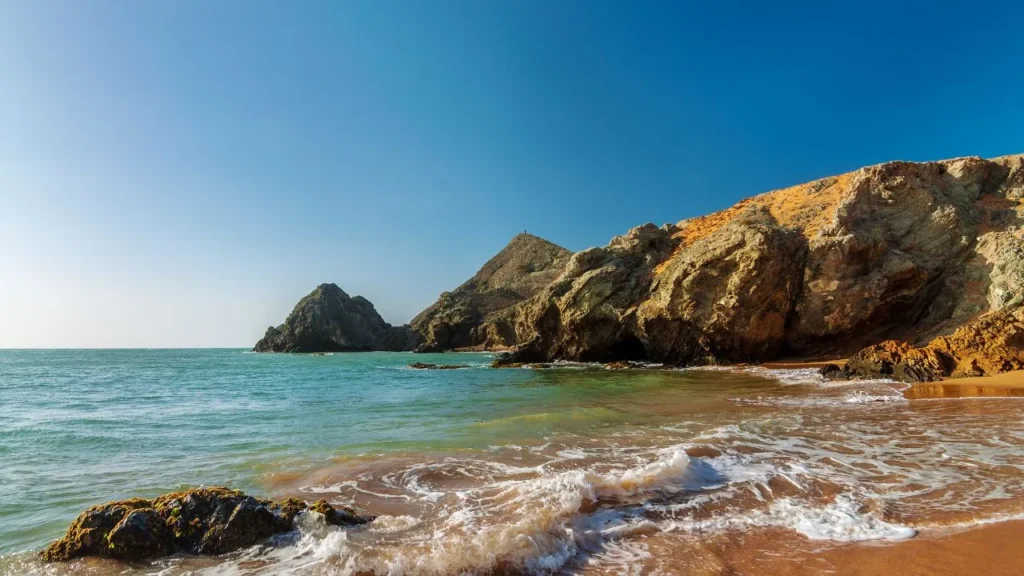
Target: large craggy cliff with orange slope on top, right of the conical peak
x=905 y=252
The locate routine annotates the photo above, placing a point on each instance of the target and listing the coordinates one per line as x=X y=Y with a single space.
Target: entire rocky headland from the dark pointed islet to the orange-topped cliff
x=929 y=256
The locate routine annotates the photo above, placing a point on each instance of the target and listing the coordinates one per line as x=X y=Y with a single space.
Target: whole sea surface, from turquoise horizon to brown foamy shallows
x=572 y=470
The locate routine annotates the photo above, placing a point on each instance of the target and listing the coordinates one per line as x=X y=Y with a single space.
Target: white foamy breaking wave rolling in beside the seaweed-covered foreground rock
x=539 y=524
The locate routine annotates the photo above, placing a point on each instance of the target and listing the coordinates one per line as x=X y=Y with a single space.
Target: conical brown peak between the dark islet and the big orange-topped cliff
x=479 y=314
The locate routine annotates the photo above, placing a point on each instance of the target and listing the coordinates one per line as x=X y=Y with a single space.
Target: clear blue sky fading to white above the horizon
x=179 y=174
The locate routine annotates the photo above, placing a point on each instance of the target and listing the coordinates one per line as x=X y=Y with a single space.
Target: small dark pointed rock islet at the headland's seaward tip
x=329 y=320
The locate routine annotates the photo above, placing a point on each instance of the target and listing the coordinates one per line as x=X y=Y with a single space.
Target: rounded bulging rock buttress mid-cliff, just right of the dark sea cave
x=726 y=297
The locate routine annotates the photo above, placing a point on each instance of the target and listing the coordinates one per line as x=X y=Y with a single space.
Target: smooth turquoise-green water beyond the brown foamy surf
x=83 y=427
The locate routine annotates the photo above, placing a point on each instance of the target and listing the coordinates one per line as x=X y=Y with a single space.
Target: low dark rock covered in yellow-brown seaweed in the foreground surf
x=202 y=521
